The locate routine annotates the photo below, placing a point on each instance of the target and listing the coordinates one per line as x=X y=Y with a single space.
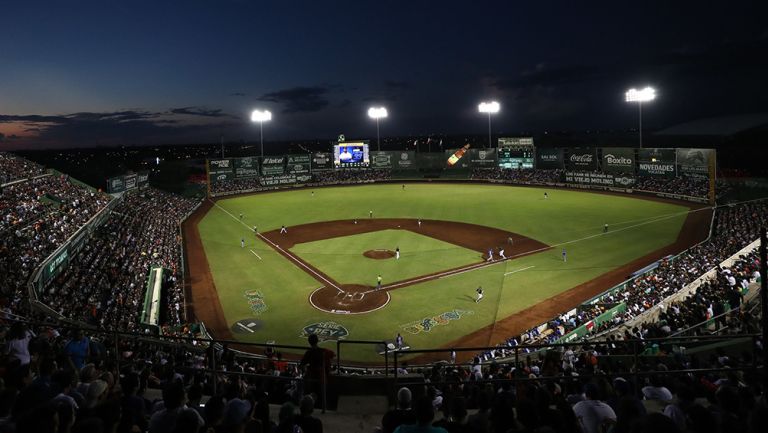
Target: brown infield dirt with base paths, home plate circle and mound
x=339 y=298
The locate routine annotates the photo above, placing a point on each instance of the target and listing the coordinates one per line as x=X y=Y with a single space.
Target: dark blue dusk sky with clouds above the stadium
x=87 y=73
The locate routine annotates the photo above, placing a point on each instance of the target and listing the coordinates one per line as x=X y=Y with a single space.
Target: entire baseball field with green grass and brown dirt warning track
x=252 y=283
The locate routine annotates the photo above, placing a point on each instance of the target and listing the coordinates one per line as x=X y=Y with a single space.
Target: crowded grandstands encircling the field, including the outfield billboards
x=98 y=320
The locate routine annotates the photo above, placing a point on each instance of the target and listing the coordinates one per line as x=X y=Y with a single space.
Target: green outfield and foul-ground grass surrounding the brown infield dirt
x=568 y=219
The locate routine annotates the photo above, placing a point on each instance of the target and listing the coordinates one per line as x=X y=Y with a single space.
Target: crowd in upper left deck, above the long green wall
x=36 y=217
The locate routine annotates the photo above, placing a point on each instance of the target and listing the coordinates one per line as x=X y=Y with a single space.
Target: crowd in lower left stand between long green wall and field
x=104 y=284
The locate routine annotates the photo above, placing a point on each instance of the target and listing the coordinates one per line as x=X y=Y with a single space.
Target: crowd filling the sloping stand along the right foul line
x=735 y=227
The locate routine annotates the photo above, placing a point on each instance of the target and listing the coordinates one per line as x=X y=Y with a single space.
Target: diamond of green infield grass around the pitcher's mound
x=342 y=258
